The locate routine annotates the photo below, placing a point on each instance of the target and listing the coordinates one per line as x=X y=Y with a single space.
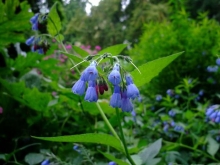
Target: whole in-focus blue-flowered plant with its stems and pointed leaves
x=103 y=71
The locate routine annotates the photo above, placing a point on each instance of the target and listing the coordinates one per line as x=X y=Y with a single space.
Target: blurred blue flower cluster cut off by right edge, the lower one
x=213 y=113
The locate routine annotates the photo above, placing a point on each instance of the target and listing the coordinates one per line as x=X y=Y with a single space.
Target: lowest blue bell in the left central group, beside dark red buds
x=91 y=93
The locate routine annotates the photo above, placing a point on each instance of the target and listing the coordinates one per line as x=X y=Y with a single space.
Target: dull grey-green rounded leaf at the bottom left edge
x=34 y=158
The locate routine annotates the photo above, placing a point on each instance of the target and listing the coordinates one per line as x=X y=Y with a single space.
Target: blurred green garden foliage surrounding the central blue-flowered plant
x=35 y=90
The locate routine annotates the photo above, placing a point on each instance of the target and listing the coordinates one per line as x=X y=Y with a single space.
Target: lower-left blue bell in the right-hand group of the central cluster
x=115 y=100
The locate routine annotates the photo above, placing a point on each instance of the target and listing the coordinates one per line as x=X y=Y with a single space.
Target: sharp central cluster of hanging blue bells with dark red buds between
x=122 y=94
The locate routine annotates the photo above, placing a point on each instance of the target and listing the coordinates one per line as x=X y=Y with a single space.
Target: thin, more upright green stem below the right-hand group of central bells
x=123 y=138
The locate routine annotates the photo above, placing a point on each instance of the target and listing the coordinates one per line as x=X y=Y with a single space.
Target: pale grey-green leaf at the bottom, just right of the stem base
x=150 y=152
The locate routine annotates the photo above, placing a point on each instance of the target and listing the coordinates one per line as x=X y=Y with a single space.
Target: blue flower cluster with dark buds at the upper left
x=35 y=42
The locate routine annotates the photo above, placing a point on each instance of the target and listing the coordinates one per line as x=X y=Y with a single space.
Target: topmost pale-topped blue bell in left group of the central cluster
x=90 y=73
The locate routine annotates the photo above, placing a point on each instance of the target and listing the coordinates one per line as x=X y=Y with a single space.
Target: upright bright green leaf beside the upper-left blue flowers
x=54 y=22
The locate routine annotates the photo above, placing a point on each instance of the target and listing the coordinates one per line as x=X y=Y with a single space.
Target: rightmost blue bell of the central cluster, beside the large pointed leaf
x=132 y=90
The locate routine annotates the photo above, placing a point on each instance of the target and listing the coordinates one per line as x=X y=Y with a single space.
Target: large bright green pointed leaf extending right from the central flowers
x=152 y=69
